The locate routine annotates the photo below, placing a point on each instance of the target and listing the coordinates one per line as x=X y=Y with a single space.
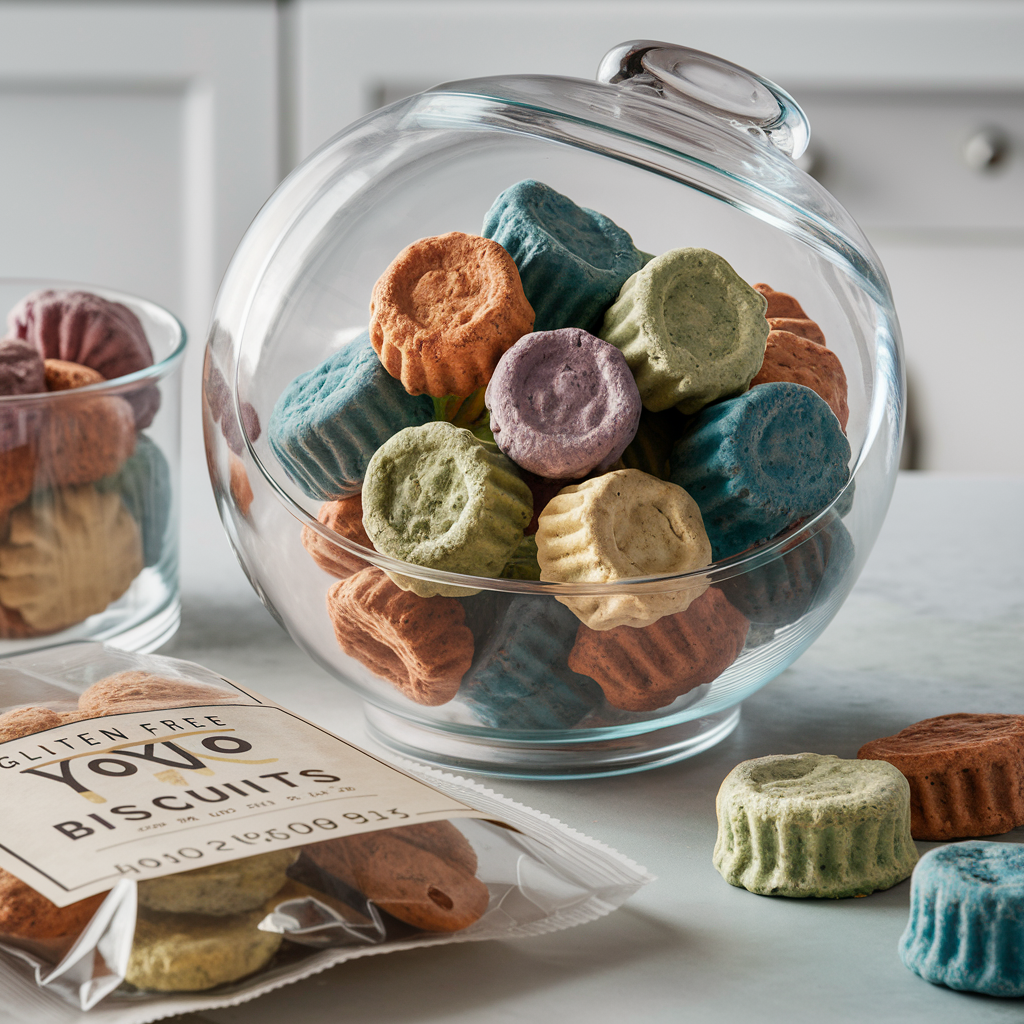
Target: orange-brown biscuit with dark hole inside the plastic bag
x=422 y=875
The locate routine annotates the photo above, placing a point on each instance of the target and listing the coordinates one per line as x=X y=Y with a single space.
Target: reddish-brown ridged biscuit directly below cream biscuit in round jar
x=649 y=668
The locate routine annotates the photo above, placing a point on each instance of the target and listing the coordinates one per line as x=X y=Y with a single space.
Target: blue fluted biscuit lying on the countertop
x=967 y=919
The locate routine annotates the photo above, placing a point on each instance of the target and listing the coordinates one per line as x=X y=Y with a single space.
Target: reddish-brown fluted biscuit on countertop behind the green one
x=966 y=774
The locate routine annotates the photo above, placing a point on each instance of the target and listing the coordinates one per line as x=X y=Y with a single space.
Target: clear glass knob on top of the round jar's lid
x=693 y=79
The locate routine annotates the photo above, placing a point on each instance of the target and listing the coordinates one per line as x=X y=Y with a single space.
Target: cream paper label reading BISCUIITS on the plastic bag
x=146 y=794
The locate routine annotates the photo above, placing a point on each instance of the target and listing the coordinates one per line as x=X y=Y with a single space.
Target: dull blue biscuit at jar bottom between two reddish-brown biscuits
x=522 y=680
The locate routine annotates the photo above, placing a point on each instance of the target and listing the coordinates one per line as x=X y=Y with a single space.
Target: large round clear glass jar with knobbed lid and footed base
x=680 y=149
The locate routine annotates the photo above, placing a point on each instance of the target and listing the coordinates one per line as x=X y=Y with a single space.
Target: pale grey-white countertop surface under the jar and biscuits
x=935 y=625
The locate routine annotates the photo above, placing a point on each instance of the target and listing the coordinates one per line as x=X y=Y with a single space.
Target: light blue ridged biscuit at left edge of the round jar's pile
x=329 y=422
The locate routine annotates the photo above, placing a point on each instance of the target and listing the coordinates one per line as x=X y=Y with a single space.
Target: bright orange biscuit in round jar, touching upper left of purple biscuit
x=445 y=313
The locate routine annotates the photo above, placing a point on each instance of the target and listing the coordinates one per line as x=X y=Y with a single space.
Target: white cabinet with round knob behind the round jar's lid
x=894 y=92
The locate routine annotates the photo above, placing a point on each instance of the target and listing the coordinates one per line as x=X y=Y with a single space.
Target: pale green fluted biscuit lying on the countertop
x=812 y=825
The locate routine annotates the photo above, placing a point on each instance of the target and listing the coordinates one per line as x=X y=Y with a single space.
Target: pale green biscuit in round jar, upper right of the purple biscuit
x=692 y=330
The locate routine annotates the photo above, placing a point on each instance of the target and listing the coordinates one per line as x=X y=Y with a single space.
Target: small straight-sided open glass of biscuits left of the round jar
x=89 y=509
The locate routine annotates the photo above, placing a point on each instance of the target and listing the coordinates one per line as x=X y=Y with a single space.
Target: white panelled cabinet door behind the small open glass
x=139 y=141
